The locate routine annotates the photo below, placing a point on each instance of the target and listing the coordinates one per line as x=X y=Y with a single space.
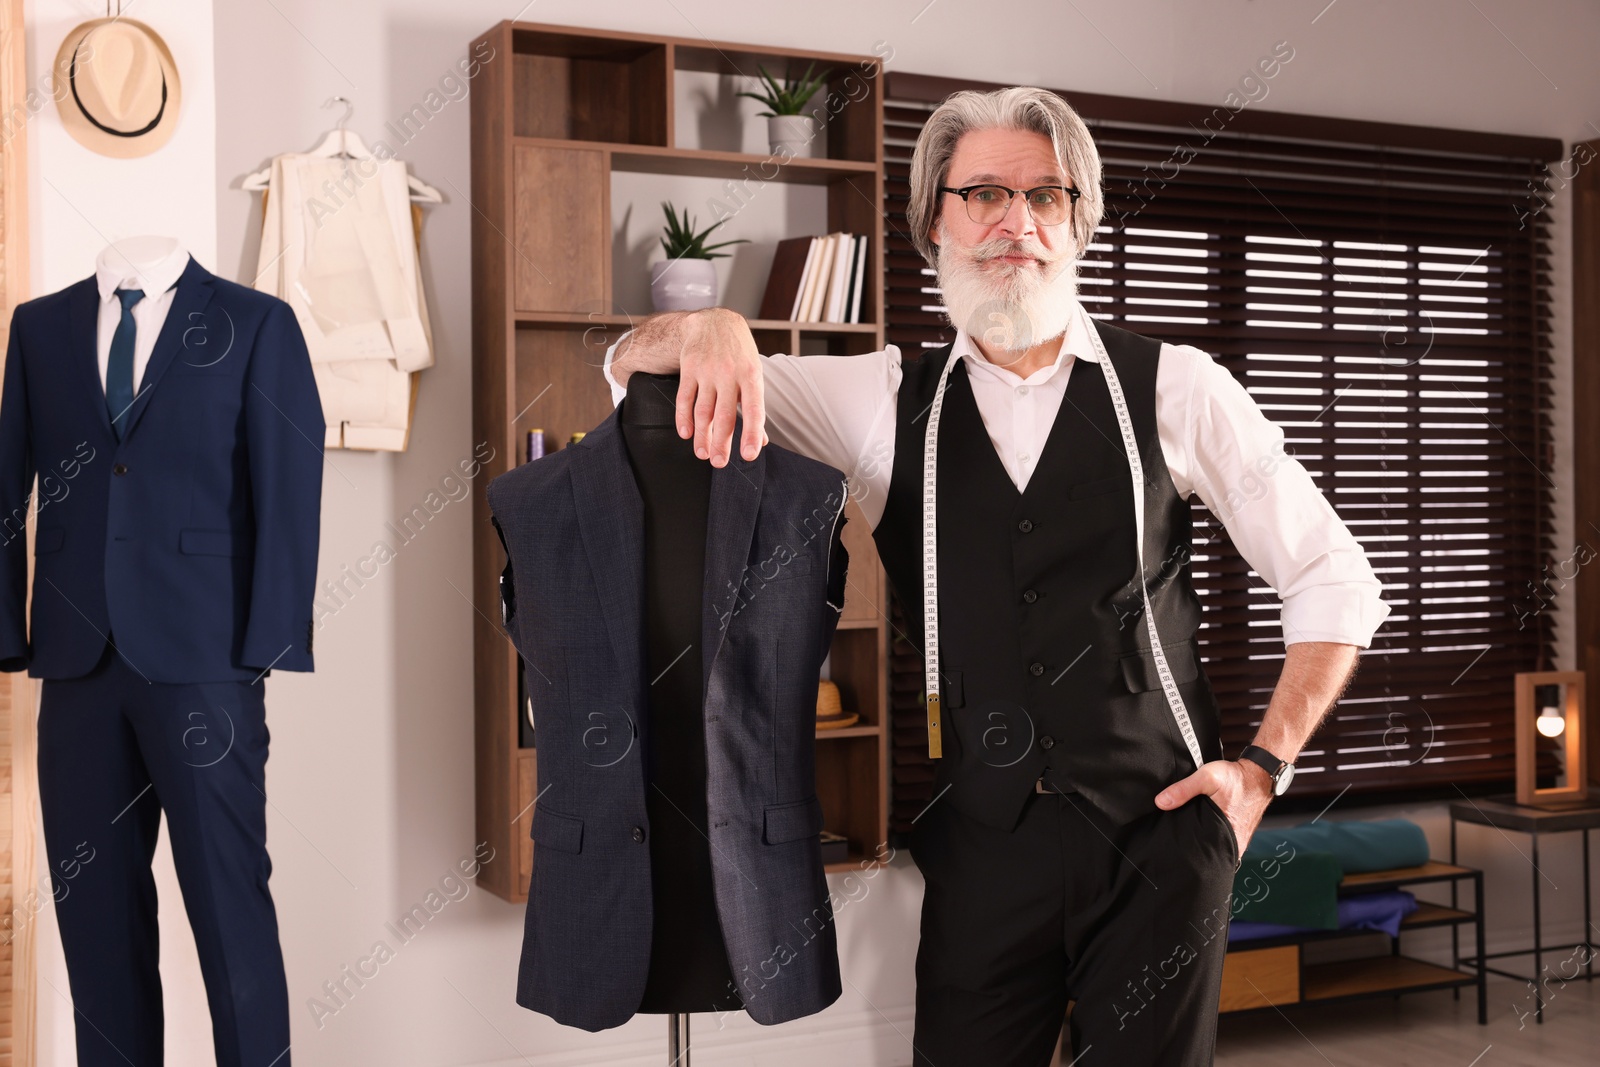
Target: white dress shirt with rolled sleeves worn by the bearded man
x=1217 y=442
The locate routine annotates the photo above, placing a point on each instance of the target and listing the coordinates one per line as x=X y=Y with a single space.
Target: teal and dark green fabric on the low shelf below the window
x=1292 y=876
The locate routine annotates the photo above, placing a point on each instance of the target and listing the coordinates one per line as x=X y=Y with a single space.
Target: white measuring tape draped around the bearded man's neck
x=930 y=549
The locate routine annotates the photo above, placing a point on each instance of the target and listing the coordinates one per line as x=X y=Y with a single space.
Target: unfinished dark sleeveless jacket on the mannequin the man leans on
x=775 y=578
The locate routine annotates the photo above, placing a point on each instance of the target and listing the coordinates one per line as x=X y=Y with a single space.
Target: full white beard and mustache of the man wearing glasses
x=1007 y=308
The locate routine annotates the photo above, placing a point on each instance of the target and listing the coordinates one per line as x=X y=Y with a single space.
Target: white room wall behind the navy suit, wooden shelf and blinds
x=372 y=767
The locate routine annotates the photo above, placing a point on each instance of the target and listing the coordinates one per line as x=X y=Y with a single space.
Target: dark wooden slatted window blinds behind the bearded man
x=1383 y=294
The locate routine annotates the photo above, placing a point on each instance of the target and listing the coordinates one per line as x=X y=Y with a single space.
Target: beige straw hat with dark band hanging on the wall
x=122 y=87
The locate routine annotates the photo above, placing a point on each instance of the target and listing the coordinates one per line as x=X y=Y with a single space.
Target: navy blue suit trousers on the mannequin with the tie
x=114 y=753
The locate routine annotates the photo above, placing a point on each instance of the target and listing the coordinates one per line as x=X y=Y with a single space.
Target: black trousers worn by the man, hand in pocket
x=1127 y=922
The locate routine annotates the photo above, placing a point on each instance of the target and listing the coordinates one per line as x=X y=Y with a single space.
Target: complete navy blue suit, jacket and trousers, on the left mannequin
x=174 y=570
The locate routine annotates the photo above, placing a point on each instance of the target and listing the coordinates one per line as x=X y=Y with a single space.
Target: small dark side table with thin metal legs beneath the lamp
x=1503 y=813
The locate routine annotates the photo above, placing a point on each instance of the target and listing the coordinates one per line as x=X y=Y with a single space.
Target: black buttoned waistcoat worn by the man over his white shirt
x=1046 y=653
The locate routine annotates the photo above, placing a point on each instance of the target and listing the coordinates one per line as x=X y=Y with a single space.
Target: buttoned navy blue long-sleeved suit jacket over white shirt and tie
x=194 y=540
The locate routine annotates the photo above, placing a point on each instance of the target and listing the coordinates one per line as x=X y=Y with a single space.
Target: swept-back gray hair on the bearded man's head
x=1017 y=108
